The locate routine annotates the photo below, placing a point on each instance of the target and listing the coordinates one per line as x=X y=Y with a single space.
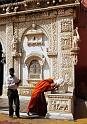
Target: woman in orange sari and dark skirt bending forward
x=37 y=104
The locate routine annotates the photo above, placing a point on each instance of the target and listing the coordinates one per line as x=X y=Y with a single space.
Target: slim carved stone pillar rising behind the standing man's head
x=16 y=53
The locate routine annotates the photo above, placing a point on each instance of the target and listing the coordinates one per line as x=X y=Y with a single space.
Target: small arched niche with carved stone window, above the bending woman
x=34 y=63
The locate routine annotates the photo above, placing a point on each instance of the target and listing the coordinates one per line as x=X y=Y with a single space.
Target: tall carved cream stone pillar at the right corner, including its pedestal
x=61 y=102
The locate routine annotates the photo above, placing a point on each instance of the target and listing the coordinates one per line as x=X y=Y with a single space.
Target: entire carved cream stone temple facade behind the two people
x=39 y=40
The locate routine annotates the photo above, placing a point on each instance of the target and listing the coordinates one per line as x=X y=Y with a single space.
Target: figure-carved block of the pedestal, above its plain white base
x=59 y=103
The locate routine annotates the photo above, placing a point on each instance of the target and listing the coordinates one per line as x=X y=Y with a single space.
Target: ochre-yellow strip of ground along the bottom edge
x=4 y=119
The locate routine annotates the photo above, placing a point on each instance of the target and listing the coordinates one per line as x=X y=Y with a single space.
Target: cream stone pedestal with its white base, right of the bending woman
x=60 y=106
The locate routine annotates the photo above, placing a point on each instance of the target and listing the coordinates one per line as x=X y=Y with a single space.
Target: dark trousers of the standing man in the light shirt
x=13 y=97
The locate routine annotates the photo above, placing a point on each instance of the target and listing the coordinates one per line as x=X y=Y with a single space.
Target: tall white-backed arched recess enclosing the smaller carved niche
x=35 y=61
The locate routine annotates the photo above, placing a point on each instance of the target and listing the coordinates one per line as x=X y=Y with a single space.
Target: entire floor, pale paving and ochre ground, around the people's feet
x=4 y=119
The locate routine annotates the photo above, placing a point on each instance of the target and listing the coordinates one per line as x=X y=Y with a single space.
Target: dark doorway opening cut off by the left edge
x=1 y=70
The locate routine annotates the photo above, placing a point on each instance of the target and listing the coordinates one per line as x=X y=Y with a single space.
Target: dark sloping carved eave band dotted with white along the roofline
x=31 y=5
